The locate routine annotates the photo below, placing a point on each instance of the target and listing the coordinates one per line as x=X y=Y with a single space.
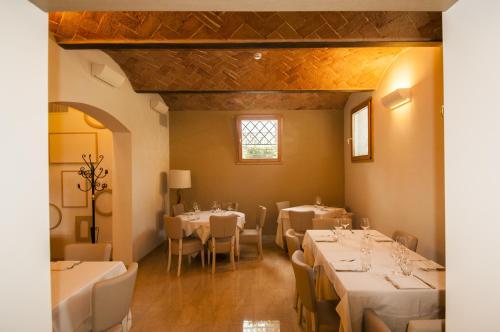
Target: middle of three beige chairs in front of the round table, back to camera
x=222 y=237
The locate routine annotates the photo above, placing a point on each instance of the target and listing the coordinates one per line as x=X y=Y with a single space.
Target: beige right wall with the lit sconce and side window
x=403 y=187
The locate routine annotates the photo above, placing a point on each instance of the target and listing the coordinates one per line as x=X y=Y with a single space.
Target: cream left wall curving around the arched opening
x=71 y=81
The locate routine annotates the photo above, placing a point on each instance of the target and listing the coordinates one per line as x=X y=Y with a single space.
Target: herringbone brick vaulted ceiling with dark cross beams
x=316 y=58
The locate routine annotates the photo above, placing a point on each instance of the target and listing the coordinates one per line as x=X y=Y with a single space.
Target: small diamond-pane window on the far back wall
x=259 y=138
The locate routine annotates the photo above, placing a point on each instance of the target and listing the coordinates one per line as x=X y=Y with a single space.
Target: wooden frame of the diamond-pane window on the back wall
x=277 y=117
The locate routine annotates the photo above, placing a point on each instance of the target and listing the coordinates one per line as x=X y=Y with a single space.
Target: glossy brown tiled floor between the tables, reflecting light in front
x=258 y=291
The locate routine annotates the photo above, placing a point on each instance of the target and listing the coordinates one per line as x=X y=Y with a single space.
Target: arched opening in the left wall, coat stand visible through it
x=76 y=129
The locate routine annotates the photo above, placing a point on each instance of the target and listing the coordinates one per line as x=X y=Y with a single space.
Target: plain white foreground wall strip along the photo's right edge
x=472 y=137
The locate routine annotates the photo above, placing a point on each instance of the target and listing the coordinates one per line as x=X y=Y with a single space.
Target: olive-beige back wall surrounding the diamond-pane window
x=205 y=143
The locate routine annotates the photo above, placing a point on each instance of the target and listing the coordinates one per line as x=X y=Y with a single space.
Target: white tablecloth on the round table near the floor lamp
x=199 y=223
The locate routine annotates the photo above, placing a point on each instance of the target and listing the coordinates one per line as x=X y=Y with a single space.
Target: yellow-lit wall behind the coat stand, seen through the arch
x=72 y=122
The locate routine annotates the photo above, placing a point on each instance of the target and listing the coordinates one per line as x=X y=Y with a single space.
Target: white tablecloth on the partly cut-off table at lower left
x=72 y=292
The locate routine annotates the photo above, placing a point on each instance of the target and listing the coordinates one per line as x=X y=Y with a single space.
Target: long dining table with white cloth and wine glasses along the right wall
x=395 y=297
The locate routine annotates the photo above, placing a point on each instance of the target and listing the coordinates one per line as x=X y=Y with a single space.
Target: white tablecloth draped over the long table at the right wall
x=361 y=290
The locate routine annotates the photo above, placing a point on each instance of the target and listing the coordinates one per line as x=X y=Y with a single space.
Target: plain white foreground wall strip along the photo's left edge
x=24 y=247
